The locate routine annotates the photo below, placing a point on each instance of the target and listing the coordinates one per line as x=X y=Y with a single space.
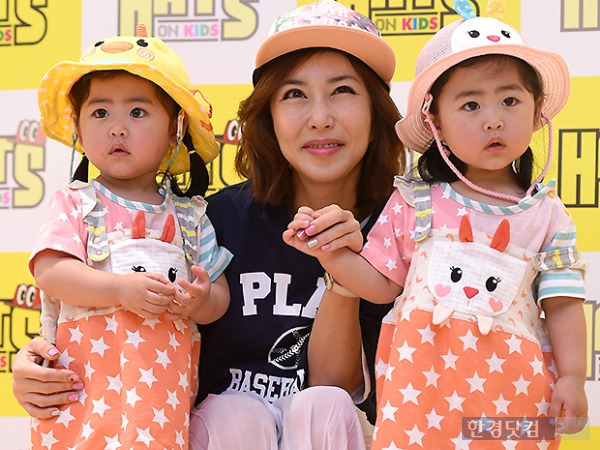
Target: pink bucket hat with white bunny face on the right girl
x=466 y=39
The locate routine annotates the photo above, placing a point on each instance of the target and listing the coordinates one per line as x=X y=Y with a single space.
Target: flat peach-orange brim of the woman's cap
x=372 y=50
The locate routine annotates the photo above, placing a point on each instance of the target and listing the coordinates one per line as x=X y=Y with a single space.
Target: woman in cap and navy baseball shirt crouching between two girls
x=318 y=130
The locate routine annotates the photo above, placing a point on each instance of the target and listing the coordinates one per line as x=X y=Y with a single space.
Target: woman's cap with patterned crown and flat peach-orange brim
x=329 y=24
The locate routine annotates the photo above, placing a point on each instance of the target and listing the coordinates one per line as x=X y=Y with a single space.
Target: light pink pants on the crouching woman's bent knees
x=318 y=418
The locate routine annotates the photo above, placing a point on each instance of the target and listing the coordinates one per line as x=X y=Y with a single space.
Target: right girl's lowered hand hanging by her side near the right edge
x=569 y=405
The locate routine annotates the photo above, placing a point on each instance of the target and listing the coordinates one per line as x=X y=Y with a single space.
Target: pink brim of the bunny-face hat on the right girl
x=552 y=69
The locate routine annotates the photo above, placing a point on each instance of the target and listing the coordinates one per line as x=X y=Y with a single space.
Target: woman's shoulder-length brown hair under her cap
x=259 y=157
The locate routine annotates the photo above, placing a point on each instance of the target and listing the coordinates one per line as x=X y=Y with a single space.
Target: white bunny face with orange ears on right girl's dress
x=475 y=278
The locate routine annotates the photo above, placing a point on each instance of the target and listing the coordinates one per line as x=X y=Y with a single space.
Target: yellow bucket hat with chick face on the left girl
x=146 y=57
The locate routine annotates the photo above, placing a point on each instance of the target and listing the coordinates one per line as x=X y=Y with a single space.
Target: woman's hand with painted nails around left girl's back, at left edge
x=41 y=390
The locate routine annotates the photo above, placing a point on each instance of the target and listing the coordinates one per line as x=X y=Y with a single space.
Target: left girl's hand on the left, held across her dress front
x=146 y=294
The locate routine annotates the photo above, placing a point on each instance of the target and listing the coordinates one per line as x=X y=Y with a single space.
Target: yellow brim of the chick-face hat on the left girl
x=56 y=109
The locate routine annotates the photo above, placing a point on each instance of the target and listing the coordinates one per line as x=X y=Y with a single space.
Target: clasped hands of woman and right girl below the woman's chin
x=328 y=229
